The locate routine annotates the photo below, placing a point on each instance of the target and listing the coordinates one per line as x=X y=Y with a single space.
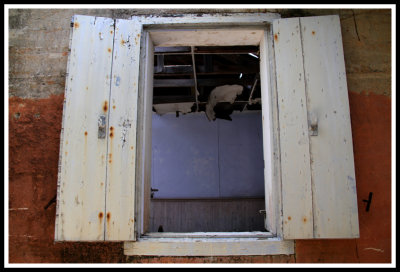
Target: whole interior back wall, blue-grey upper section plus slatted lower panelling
x=209 y=174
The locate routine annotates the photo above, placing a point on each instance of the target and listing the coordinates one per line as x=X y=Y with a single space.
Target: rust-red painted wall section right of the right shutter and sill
x=371 y=128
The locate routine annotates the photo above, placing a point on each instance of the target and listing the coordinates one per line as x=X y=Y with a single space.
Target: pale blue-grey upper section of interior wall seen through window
x=195 y=158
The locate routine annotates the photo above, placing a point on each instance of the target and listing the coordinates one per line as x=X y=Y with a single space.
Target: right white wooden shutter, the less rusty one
x=317 y=165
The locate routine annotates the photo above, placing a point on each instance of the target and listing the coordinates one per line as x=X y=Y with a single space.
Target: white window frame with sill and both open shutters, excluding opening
x=105 y=151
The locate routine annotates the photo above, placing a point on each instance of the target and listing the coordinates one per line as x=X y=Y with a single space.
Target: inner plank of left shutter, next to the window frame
x=120 y=187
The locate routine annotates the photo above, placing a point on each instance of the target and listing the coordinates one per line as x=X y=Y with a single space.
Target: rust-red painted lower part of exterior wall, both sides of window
x=34 y=129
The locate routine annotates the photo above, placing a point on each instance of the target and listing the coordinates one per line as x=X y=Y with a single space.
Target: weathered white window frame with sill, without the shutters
x=184 y=31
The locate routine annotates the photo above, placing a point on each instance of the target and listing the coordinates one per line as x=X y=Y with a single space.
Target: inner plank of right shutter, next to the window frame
x=294 y=141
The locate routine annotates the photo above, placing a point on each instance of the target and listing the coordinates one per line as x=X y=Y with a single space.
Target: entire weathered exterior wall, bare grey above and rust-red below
x=38 y=52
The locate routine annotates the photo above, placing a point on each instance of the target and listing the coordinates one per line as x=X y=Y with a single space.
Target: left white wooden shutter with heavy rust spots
x=97 y=151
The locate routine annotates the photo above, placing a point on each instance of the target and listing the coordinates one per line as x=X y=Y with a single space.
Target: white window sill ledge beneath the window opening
x=208 y=246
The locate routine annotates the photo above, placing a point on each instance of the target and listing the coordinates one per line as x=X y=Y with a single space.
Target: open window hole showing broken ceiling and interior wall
x=207 y=169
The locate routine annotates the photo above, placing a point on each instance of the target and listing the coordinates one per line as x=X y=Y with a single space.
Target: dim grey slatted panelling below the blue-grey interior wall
x=207 y=215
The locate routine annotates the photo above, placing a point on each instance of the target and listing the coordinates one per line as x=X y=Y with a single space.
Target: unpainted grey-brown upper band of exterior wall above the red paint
x=39 y=41
